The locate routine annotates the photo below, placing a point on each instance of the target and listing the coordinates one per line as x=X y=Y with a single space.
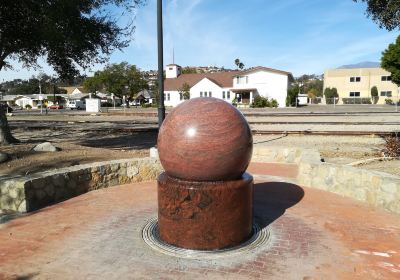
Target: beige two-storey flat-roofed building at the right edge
x=354 y=84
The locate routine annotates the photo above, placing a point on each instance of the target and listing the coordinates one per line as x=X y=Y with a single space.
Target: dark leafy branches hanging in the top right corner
x=384 y=12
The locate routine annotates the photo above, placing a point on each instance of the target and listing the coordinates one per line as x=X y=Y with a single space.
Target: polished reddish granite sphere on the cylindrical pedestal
x=205 y=139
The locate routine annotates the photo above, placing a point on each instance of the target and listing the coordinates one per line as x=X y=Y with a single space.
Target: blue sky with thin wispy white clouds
x=300 y=36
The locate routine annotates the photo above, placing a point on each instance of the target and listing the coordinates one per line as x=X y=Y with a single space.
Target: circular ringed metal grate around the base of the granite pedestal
x=150 y=234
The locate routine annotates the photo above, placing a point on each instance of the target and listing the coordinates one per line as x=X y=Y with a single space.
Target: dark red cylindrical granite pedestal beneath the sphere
x=205 y=215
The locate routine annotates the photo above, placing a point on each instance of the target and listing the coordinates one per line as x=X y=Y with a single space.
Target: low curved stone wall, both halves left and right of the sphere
x=29 y=193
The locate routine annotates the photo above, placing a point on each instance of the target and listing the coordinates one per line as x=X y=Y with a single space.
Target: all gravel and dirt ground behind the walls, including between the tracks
x=80 y=144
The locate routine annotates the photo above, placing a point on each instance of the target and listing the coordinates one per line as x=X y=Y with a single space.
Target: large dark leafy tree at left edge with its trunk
x=68 y=33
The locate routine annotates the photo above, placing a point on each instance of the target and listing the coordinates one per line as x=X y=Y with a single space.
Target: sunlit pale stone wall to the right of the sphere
x=377 y=189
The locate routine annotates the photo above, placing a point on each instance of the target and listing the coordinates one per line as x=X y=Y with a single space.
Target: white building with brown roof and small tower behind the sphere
x=242 y=85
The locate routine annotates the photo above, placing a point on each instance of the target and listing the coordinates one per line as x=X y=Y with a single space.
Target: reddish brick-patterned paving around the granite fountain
x=315 y=235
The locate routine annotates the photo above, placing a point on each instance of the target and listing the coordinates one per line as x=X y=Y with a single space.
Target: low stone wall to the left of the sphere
x=28 y=193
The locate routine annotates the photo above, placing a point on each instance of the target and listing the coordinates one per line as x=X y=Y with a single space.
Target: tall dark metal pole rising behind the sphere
x=161 y=107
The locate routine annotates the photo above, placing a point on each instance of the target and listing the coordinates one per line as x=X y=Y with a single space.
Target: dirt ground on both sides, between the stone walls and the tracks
x=79 y=146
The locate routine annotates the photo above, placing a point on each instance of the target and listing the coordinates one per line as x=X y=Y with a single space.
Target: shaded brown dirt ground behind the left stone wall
x=77 y=147
